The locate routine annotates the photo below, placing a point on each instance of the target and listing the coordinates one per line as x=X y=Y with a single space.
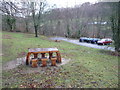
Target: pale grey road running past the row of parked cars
x=84 y=44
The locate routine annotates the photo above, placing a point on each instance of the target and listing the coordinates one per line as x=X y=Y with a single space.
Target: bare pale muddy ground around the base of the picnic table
x=21 y=61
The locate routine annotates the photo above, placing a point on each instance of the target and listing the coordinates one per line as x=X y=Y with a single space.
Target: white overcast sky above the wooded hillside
x=69 y=3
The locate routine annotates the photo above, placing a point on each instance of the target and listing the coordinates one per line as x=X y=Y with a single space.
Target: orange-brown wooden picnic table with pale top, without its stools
x=43 y=51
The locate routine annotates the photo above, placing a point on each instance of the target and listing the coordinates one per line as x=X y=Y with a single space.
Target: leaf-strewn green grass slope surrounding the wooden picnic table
x=88 y=67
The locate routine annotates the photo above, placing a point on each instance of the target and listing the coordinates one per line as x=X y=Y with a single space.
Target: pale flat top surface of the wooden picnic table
x=42 y=49
